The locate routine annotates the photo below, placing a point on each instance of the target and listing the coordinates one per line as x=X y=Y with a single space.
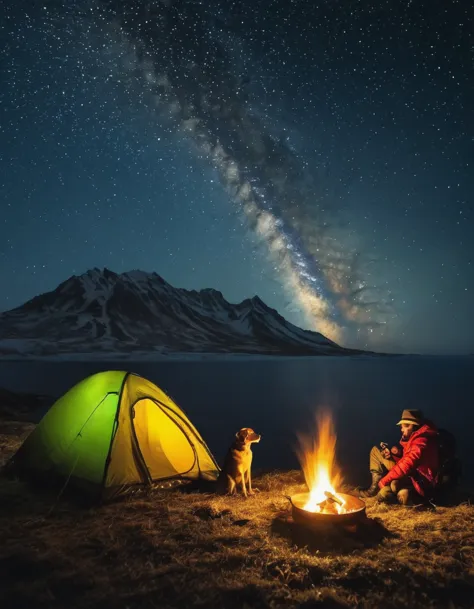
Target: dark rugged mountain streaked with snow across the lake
x=101 y=311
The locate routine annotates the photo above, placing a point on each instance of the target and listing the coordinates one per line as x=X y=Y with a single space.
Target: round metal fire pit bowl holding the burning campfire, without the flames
x=355 y=511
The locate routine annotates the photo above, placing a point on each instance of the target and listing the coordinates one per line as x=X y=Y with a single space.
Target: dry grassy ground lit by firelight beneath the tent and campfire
x=177 y=547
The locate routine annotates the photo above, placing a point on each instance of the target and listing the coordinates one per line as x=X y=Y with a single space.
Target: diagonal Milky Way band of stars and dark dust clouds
x=186 y=59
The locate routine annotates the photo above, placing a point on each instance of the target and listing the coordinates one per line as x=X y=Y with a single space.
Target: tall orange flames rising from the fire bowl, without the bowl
x=317 y=456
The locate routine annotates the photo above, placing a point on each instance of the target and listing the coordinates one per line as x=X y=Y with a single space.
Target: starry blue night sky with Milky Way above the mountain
x=318 y=154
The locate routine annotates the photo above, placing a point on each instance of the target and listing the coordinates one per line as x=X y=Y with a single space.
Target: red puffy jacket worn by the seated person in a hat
x=419 y=462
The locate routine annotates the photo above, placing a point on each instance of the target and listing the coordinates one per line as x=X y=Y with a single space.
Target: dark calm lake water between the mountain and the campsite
x=278 y=397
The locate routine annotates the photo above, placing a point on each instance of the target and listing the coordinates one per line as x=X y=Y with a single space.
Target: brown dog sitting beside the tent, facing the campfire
x=238 y=463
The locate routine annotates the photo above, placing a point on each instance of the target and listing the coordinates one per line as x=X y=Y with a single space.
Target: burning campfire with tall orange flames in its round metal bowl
x=317 y=456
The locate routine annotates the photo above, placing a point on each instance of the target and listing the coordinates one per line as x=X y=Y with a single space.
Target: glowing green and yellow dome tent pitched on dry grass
x=111 y=431
